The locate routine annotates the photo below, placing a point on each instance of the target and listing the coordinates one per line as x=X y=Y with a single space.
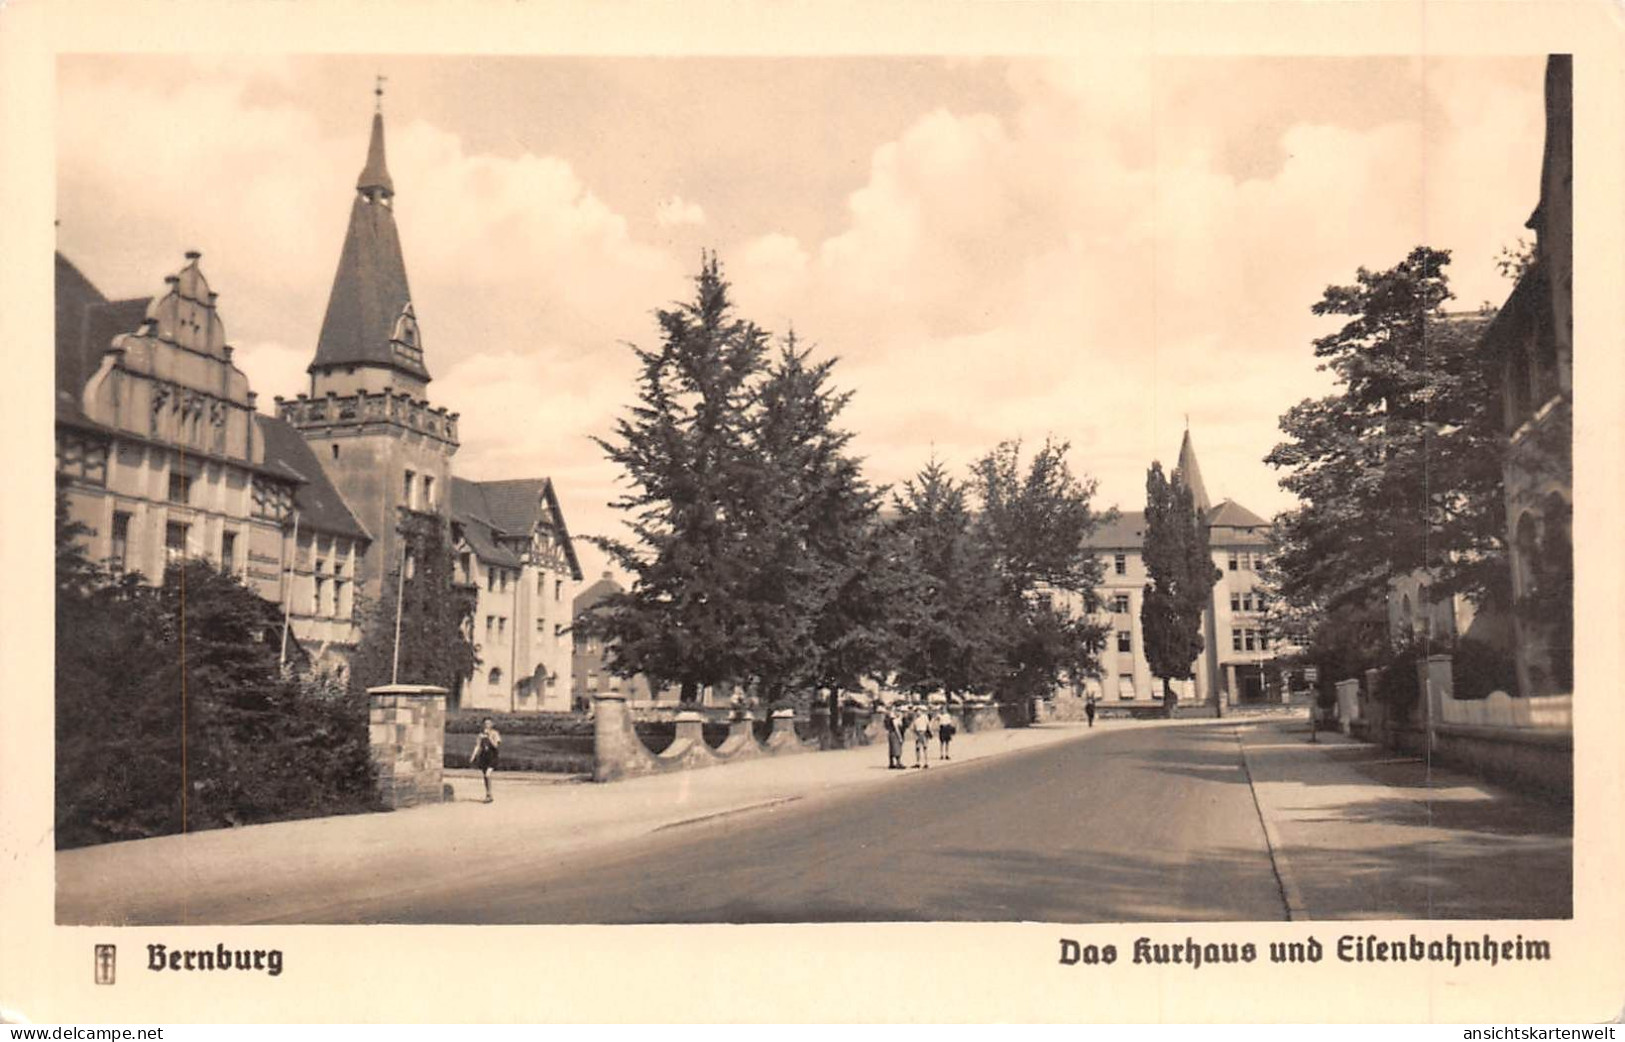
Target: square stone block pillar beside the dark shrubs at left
x=407 y=739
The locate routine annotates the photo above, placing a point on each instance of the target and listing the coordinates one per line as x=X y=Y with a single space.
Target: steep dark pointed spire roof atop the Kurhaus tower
x=370 y=289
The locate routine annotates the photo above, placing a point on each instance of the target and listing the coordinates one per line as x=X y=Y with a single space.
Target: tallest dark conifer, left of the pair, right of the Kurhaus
x=690 y=475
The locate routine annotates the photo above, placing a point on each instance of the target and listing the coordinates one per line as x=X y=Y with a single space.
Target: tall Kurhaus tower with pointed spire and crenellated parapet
x=368 y=417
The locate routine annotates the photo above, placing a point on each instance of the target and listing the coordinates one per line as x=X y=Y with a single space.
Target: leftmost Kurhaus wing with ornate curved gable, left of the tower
x=163 y=456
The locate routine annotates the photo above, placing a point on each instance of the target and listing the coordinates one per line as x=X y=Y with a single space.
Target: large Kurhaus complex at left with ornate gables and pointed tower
x=163 y=454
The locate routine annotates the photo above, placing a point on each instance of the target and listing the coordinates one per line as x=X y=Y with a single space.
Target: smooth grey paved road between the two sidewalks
x=1142 y=825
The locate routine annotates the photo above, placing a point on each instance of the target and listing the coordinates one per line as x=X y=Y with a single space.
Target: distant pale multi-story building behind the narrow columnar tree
x=1239 y=648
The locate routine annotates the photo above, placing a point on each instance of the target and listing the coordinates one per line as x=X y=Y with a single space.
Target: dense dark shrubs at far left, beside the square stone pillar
x=160 y=732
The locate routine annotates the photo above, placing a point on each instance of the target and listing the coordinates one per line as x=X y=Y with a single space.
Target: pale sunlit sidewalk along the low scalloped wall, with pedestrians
x=306 y=871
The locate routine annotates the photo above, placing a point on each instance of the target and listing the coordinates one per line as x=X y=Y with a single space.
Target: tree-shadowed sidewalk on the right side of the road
x=1359 y=831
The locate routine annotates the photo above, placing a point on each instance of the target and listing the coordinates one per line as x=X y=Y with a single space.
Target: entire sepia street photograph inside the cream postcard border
x=1166 y=466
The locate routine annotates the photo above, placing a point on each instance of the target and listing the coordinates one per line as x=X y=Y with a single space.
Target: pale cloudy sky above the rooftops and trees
x=995 y=250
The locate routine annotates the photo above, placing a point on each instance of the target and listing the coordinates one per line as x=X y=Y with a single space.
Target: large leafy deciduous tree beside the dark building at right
x=1402 y=467
